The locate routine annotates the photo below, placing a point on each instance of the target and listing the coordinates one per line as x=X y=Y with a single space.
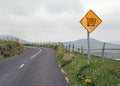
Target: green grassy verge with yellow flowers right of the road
x=95 y=74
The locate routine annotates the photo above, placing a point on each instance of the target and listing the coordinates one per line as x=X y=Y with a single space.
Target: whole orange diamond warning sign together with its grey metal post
x=90 y=21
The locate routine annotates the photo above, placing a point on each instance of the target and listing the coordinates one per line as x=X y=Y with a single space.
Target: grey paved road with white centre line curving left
x=35 y=67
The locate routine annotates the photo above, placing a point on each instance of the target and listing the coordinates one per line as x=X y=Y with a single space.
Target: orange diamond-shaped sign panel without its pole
x=90 y=21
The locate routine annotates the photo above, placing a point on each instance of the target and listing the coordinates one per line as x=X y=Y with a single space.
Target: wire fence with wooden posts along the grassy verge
x=112 y=53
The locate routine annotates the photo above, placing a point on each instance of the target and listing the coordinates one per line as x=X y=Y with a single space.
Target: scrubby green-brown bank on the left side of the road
x=10 y=48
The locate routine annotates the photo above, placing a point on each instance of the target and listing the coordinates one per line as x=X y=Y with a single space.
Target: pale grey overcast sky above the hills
x=58 y=20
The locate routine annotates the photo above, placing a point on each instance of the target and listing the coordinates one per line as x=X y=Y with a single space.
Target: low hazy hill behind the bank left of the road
x=12 y=38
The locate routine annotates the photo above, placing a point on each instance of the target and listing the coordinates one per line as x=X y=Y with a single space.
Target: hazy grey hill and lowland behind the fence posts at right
x=96 y=44
